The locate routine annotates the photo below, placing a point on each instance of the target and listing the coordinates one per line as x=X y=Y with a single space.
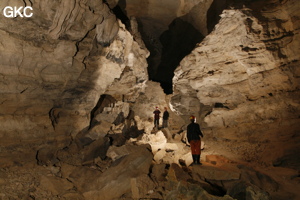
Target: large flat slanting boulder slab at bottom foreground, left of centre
x=119 y=175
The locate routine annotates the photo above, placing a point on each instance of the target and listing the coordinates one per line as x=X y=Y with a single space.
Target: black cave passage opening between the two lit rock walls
x=168 y=50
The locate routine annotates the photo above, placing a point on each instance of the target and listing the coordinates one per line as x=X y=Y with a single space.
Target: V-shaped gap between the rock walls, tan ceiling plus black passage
x=170 y=30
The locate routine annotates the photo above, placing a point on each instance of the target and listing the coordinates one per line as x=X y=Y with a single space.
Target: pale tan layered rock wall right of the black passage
x=242 y=81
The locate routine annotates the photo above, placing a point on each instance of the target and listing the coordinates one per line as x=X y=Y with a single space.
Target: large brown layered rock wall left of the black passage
x=55 y=66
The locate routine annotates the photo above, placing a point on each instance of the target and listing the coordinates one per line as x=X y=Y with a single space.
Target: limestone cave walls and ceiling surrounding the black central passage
x=241 y=81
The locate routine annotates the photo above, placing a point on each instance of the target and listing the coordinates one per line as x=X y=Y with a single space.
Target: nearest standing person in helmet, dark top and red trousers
x=193 y=136
